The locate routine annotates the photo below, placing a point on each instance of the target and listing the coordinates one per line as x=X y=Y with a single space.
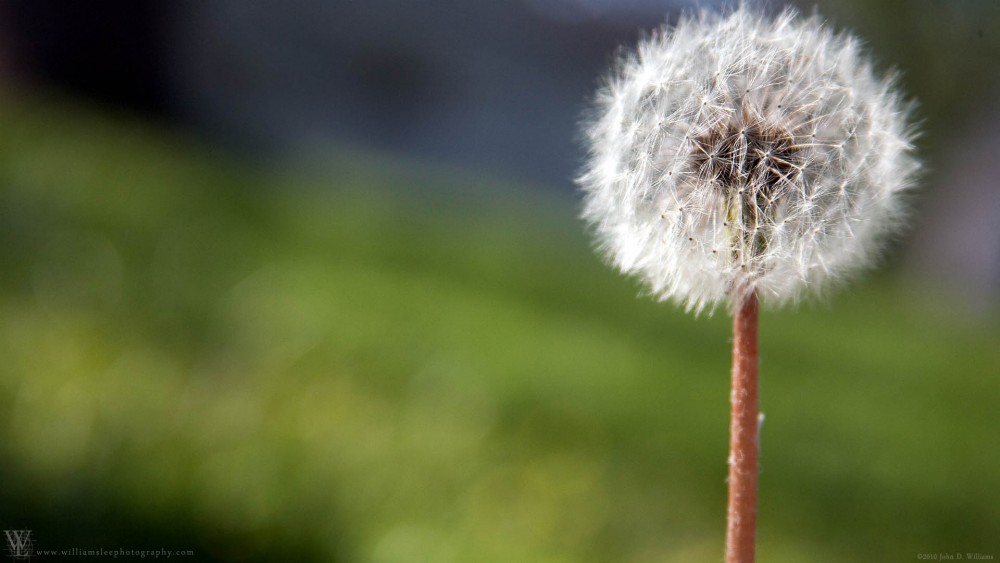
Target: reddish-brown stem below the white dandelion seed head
x=741 y=520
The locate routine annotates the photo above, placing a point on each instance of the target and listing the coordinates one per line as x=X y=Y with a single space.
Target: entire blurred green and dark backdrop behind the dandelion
x=304 y=281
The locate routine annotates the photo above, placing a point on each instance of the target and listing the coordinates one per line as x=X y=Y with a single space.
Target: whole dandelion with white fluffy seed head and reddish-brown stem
x=736 y=158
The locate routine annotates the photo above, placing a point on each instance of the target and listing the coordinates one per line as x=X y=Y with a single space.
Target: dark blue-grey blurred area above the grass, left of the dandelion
x=495 y=86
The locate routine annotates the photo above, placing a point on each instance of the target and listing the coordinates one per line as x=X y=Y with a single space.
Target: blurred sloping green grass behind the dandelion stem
x=376 y=363
